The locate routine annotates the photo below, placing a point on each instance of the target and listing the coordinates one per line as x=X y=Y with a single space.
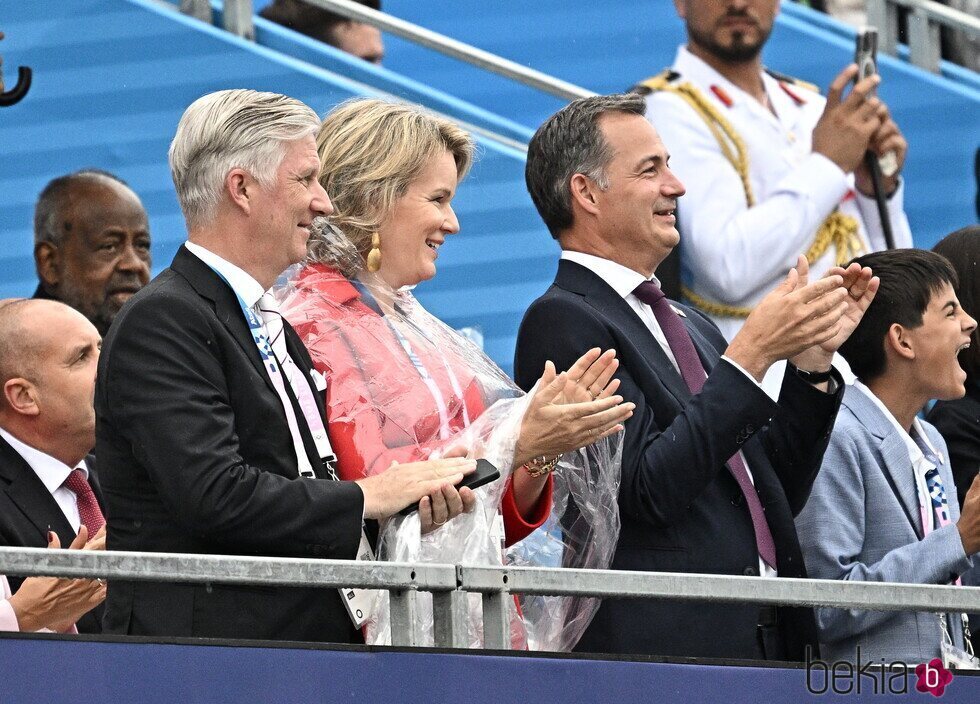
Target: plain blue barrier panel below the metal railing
x=55 y=670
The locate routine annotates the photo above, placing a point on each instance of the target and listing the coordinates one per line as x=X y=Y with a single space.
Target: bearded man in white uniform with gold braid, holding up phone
x=772 y=169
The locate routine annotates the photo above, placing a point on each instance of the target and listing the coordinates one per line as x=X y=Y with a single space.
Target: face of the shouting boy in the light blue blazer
x=936 y=344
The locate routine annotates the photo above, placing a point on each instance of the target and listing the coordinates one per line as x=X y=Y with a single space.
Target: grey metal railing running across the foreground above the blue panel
x=449 y=585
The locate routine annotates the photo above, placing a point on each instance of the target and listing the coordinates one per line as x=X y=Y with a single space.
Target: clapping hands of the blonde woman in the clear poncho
x=559 y=418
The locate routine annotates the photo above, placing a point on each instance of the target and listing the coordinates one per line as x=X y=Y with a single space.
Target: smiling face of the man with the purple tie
x=637 y=211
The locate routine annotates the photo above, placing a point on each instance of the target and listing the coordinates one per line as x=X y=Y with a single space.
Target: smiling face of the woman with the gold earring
x=418 y=224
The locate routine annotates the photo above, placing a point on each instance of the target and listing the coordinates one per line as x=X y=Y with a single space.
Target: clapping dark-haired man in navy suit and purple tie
x=713 y=470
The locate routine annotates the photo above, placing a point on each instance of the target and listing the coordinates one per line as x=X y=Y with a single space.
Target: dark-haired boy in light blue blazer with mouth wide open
x=883 y=507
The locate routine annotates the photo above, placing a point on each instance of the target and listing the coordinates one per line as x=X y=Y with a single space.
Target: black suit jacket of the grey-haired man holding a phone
x=196 y=457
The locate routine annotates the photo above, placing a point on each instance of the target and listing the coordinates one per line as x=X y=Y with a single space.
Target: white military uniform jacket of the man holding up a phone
x=733 y=254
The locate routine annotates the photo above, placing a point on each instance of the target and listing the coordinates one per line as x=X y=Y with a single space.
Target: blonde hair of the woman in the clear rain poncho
x=370 y=152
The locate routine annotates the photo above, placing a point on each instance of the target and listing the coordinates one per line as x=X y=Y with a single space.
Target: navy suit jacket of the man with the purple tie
x=681 y=509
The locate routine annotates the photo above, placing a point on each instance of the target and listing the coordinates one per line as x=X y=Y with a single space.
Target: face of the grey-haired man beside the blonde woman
x=286 y=209
